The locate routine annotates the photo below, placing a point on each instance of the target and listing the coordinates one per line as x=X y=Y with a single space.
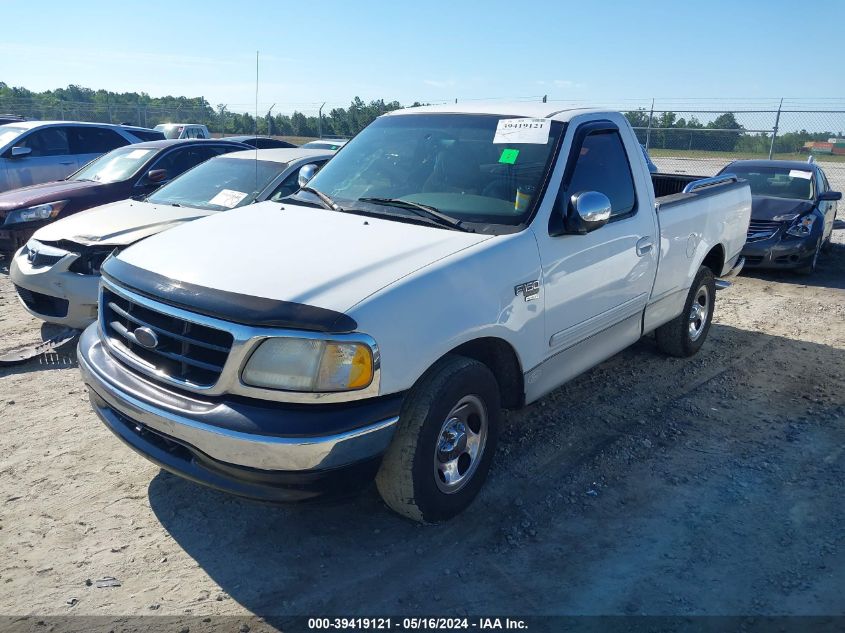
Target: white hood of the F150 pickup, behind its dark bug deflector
x=322 y=258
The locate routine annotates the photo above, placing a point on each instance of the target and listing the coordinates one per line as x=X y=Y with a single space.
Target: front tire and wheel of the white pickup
x=433 y=441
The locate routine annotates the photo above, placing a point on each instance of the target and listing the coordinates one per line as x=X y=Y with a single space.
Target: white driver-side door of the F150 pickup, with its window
x=596 y=285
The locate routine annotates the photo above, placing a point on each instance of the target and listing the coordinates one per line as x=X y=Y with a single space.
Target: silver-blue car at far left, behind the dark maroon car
x=32 y=152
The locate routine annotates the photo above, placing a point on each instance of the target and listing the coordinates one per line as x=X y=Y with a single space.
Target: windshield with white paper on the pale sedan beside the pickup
x=219 y=184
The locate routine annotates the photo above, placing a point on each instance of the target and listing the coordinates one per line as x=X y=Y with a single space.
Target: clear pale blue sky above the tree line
x=605 y=52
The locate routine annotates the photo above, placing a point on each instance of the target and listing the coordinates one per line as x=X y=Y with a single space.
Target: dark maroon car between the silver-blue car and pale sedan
x=125 y=172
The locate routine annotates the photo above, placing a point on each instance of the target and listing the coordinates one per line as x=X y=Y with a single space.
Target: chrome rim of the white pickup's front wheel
x=460 y=444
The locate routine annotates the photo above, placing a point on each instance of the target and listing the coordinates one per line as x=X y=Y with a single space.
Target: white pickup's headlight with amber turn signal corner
x=295 y=364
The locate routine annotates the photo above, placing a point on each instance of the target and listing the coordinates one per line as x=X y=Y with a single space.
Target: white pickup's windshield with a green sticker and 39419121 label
x=476 y=168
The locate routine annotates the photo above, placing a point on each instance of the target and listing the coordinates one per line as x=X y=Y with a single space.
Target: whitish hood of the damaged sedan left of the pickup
x=117 y=224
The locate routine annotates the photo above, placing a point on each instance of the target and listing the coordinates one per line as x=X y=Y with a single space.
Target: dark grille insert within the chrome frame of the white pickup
x=187 y=352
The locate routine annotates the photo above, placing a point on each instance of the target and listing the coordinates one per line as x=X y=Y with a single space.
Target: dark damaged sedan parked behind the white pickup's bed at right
x=792 y=213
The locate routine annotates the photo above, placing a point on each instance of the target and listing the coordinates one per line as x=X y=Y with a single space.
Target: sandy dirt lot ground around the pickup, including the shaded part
x=711 y=485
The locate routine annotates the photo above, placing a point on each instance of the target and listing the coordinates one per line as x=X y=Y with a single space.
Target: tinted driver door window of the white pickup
x=603 y=166
